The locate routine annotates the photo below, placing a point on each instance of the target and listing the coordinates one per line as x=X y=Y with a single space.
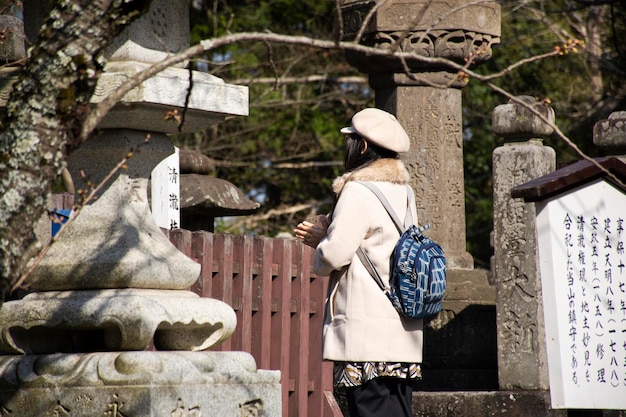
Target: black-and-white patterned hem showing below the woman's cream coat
x=352 y=374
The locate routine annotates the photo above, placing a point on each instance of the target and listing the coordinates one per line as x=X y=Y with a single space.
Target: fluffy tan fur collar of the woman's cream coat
x=385 y=169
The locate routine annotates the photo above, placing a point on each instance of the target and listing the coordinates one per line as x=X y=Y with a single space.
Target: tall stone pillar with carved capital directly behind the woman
x=427 y=98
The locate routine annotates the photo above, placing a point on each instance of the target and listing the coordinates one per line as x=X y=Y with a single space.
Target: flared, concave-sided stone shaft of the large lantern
x=115 y=242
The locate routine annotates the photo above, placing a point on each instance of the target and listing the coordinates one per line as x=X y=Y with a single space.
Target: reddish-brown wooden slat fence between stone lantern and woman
x=279 y=305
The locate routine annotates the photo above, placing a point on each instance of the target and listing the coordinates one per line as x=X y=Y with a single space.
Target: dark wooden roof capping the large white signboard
x=572 y=176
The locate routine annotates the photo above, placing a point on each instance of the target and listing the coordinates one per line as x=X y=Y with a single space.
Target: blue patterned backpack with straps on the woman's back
x=417 y=277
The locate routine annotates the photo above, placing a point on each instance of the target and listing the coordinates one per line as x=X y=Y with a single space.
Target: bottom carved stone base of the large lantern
x=146 y=384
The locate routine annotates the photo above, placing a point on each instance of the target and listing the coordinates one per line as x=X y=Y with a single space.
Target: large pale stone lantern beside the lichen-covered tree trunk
x=111 y=328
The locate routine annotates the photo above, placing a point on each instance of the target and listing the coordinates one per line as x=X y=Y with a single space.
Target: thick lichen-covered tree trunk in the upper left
x=44 y=117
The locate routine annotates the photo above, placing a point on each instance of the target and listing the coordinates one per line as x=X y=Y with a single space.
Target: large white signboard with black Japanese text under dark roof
x=583 y=274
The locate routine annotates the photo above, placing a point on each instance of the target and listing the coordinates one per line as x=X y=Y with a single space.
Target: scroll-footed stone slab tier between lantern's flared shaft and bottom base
x=83 y=321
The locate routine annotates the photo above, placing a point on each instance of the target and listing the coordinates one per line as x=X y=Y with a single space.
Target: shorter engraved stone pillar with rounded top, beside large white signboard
x=522 y=355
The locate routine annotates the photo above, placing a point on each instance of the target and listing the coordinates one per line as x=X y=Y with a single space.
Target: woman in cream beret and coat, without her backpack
x=376 y=352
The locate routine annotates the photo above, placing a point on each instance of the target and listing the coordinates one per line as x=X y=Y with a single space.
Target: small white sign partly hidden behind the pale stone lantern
x=165 y=192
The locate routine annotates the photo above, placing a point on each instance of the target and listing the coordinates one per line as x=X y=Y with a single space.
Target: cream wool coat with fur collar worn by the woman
x=360 y=323
